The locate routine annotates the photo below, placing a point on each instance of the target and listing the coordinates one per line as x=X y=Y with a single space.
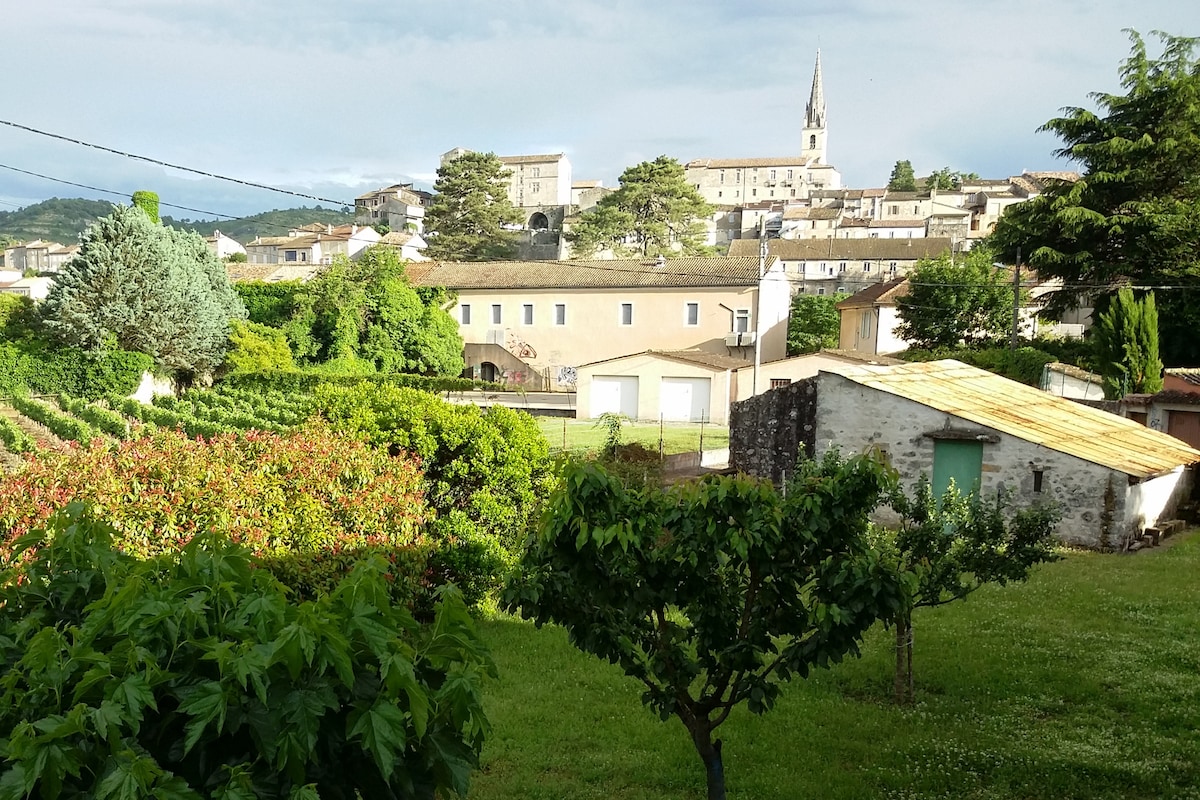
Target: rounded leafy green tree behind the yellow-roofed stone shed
x=956 y=300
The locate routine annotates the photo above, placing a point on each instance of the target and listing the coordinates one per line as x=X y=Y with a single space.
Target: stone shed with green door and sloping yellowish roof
x=946 y=420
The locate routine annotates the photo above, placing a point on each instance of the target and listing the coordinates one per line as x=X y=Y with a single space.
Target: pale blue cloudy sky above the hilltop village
x=335 y=98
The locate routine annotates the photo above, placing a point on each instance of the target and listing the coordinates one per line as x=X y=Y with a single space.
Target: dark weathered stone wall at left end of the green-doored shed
x=769 y=432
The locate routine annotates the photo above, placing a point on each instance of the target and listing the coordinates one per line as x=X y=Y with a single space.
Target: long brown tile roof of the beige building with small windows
x=615 y=274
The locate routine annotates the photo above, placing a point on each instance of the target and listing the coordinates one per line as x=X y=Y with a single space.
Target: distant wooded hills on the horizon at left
x=64 y=220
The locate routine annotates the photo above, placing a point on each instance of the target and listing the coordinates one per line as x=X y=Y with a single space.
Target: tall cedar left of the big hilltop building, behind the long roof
x=471 y=216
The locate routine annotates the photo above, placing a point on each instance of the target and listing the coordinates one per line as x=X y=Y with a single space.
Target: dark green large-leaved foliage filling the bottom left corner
x=195 y=675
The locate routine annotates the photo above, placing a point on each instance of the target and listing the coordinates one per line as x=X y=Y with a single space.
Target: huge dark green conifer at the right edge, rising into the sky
x=1135 y=215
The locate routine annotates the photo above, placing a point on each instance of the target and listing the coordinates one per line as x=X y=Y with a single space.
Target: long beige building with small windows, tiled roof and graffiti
x=553 y=317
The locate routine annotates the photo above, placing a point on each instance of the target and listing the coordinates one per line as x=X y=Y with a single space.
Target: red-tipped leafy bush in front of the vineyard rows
x=310 y=503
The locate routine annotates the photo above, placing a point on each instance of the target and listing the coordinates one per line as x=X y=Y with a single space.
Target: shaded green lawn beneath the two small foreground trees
x=1083 y=683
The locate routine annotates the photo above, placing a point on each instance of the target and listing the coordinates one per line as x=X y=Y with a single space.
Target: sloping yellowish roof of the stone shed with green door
x=1030 y=414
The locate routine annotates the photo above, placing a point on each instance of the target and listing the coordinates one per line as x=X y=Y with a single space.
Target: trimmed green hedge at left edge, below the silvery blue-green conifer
x=45 y=371
